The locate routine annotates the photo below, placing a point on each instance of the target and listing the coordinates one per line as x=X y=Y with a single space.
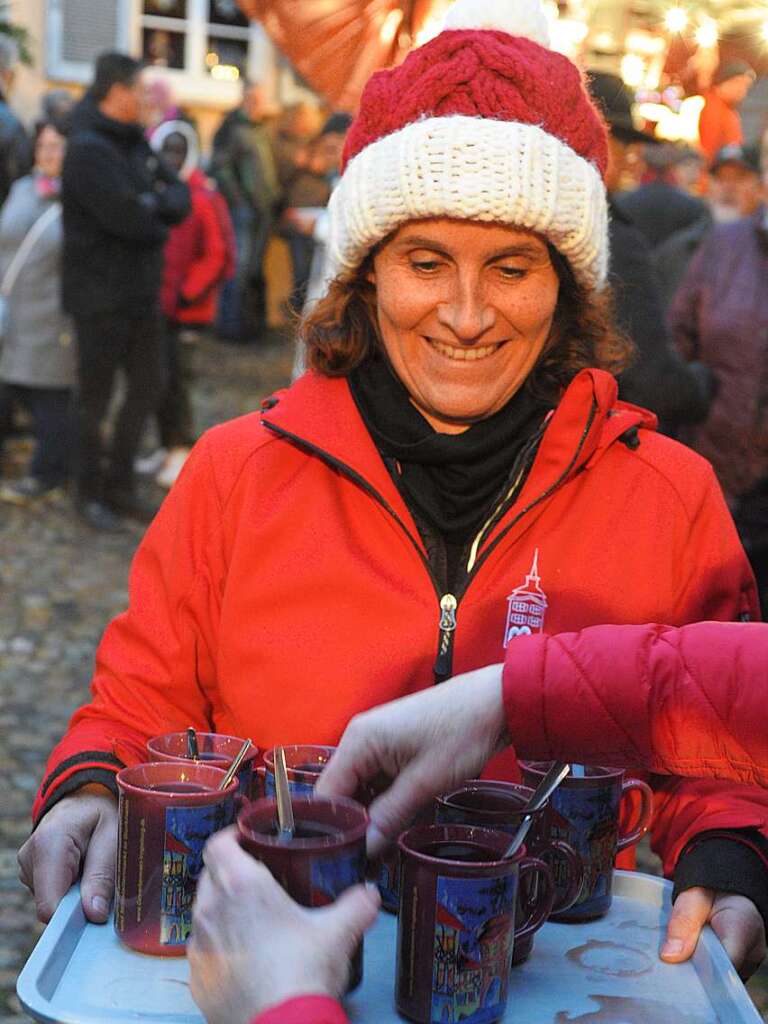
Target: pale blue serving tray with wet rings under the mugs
x=604 y=972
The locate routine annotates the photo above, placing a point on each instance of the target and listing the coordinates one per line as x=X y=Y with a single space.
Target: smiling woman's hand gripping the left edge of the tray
x=79 y=832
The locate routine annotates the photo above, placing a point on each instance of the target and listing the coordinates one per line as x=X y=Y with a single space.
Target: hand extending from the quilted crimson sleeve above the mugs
x=423 y=744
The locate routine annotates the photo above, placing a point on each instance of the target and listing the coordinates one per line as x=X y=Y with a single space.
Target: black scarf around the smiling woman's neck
x=452 y=481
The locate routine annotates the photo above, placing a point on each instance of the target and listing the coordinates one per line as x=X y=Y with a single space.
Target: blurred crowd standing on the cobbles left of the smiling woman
x=118 y=239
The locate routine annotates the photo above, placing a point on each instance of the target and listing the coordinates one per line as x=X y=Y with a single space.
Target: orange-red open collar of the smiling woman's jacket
x=320 y=413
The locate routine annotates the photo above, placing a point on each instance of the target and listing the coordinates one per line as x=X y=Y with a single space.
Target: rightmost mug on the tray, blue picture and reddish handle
x=586 y=812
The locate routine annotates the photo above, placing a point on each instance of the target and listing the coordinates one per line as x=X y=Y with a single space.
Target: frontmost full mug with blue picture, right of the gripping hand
x=457 y=921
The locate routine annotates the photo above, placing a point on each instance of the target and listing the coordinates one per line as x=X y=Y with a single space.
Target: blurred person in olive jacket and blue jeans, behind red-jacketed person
x=245 y=169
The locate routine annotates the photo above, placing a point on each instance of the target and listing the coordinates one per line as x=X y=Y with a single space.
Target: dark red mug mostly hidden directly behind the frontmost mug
x=499 y=805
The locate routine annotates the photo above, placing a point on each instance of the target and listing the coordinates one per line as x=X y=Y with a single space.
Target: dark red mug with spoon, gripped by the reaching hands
x=327 y=856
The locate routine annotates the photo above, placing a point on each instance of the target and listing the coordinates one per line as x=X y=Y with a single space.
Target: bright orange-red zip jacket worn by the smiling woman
x=284 y=587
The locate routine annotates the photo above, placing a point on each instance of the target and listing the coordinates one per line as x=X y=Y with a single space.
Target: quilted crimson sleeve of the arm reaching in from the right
x=677 y=702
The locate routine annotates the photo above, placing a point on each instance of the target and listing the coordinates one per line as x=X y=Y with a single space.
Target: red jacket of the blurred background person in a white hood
x=195 y=260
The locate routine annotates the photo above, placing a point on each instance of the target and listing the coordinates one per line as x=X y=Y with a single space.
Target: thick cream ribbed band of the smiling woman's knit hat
x=473 y=169
